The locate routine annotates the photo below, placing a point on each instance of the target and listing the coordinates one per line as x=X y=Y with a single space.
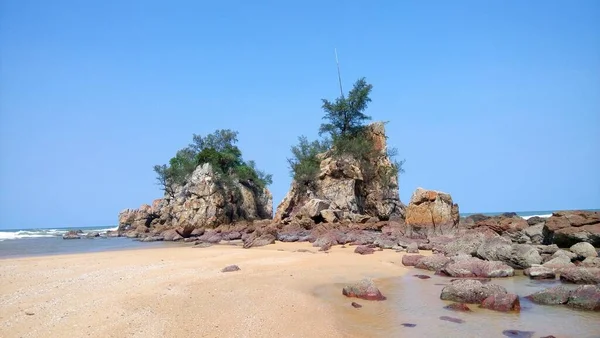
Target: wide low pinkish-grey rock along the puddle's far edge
x=474 y=267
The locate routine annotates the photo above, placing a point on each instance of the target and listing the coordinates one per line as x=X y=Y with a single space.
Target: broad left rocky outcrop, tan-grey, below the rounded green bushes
x=201 y=203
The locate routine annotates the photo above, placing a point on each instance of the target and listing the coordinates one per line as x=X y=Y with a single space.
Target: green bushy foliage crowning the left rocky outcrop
x=219 y=150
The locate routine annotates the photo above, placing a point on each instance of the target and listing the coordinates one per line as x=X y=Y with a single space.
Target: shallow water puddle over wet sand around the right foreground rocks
x=414 y=309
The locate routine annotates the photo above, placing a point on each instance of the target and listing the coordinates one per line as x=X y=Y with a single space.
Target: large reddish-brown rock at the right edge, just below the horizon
x=566 y=228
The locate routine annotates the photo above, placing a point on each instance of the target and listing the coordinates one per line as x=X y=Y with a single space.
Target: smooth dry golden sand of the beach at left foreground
x=181 y=292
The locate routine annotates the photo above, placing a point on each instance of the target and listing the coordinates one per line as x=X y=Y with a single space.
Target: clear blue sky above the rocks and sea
x=495 y=102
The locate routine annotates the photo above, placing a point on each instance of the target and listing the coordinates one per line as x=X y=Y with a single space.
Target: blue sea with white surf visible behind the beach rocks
x=44 y=241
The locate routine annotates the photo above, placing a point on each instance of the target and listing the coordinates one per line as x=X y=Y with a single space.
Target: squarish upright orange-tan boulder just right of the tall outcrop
x=431 y=213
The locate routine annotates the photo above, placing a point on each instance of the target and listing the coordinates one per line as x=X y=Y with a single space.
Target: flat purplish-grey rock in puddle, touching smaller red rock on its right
x=470 y=291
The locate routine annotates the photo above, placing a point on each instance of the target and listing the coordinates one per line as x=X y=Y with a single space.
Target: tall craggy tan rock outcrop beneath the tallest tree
x=346 y=190
